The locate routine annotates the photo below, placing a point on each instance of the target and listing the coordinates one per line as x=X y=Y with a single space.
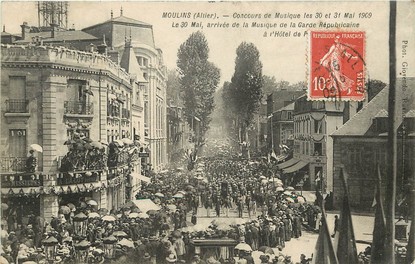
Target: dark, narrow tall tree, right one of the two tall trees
x=246 y=88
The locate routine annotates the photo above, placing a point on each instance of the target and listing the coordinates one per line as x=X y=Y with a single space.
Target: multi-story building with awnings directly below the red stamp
x=312 y=161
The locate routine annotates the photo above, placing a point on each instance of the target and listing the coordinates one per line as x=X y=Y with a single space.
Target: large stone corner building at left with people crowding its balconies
x=71 y=103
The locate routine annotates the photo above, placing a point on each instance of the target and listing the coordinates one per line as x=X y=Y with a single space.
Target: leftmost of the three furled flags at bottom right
x=324 y=251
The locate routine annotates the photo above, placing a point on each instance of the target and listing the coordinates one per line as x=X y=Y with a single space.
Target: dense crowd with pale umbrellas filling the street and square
x=271 y=214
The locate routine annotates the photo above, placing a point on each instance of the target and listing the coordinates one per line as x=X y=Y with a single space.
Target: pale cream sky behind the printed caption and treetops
x=284 y=58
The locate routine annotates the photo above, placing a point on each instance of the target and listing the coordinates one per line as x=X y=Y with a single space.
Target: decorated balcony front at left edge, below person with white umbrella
x=21 y=180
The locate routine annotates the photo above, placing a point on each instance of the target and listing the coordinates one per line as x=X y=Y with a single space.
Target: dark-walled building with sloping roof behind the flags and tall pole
x=360 y=146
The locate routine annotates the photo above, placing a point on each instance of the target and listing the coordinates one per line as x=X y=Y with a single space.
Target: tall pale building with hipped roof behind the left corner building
x=150 y=60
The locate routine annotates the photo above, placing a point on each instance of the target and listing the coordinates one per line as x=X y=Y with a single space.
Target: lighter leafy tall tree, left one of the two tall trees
x=198 y=80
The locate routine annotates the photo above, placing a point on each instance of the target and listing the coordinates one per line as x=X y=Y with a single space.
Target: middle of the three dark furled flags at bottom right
x=346 y=247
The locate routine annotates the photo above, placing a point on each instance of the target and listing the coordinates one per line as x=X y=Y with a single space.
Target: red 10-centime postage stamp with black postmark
x=336 y=65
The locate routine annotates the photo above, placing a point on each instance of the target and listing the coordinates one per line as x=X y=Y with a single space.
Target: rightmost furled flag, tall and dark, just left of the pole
x=379 y=228
